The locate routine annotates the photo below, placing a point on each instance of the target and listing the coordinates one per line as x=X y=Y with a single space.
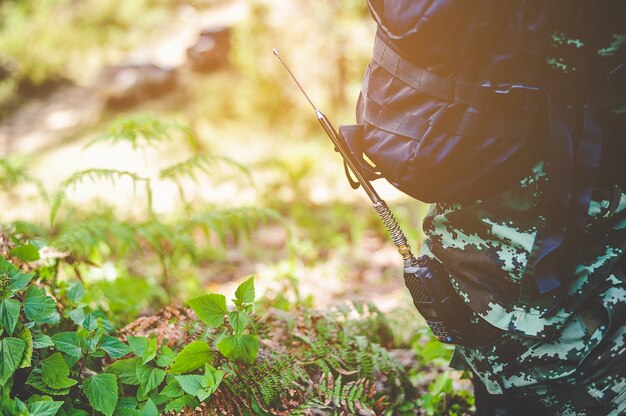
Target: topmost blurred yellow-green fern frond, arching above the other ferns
x=140 y=131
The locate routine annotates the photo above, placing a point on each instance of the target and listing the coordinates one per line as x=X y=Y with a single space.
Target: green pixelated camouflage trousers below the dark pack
x=571 y=361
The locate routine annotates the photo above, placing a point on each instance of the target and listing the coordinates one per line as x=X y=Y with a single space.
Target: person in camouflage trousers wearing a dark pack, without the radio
x=510 y=118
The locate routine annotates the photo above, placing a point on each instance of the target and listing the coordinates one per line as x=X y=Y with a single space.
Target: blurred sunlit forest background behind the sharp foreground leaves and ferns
x=162 y=144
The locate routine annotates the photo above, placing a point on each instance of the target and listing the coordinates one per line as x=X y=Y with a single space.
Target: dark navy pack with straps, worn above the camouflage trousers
x=463 y=98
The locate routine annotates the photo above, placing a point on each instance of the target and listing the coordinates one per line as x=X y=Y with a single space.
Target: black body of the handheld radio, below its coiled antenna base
x=448 y=316
